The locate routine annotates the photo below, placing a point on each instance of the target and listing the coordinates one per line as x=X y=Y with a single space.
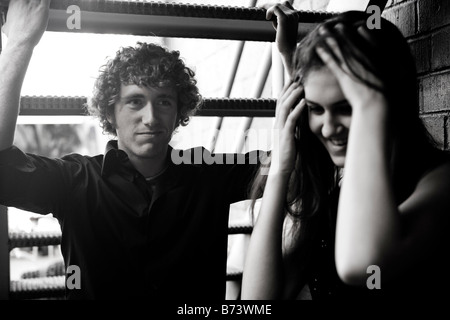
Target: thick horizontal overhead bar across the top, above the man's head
x=172 y=20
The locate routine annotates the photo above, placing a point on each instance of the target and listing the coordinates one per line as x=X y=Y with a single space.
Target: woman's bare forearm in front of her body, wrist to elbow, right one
x=368 y=220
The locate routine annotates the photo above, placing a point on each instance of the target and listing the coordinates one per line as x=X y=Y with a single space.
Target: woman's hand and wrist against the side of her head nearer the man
x=290 y=105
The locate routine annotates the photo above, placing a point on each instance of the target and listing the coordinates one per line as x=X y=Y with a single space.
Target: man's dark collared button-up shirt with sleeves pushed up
x=132 y=240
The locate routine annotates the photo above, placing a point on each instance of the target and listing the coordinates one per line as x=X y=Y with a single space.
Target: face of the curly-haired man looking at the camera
x=145 y=118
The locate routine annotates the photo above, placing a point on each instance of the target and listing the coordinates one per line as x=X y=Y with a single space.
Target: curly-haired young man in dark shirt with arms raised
x=136 y=224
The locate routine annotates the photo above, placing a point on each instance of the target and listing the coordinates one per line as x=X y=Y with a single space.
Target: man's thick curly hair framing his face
x=148 y=65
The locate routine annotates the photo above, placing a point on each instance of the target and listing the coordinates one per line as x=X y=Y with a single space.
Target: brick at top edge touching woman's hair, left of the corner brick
x=404 y=17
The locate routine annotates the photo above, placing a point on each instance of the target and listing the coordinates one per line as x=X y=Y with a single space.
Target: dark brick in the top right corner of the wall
x=433 y=14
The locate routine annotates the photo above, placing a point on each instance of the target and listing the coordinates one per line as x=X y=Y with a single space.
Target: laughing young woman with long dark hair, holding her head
x=356 y=202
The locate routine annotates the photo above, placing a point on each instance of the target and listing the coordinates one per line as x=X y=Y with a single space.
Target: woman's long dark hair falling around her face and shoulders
x=314 y=178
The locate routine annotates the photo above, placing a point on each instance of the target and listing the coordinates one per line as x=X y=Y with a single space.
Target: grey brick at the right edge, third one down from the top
x=434 y=92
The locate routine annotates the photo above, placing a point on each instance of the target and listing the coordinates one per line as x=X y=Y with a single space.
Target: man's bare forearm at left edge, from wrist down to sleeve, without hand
x=14 y=62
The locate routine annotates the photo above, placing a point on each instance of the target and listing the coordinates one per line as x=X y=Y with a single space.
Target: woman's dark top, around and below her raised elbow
x=428 y=280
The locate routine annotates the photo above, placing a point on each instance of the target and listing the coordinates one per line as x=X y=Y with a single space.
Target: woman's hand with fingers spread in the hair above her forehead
x=357 y=91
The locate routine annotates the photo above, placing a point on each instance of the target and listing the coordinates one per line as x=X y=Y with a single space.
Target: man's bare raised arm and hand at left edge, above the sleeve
x=25 y=23
